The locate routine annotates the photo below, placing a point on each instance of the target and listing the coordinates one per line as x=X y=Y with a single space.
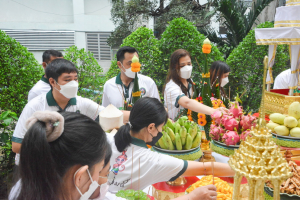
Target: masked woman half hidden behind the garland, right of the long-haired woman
x=219 y=72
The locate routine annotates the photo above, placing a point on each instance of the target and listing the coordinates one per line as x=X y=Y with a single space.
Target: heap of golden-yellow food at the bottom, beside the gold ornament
x=223 y=189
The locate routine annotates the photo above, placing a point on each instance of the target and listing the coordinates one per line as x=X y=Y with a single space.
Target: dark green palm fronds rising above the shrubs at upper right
x=238 y=20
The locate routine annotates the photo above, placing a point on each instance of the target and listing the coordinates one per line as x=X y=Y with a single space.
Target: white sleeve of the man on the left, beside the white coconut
x=90 y=108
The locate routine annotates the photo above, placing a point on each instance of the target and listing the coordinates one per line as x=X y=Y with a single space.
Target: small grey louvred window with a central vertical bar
x=97 y=44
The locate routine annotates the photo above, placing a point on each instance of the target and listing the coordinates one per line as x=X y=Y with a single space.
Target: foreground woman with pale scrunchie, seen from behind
x=61 y=157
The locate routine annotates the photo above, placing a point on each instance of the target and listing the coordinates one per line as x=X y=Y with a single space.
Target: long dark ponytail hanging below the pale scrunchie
x=37 y=167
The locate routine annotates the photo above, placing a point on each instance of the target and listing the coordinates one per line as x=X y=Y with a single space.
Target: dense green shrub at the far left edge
x=19 y=71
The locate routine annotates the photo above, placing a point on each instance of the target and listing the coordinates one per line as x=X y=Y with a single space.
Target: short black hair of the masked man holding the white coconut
x=59 y=66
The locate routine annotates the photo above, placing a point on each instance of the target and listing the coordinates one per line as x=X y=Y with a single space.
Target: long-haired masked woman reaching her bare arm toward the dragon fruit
x=178 y=89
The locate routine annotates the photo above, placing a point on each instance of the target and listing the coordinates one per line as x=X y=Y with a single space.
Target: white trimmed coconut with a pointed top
x=110 y=118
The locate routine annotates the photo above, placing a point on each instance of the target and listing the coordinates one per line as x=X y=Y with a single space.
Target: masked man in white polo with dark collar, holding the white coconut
x=62 y=76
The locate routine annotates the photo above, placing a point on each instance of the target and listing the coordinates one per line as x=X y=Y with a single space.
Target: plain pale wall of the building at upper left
x=80 y=16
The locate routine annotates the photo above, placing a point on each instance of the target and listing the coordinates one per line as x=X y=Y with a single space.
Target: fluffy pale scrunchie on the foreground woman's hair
x=53 y=120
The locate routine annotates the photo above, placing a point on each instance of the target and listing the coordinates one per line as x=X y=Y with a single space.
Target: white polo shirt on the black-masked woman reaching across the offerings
x=138 y=167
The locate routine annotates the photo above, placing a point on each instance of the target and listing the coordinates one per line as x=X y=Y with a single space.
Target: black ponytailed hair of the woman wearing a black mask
x=145 y=111
